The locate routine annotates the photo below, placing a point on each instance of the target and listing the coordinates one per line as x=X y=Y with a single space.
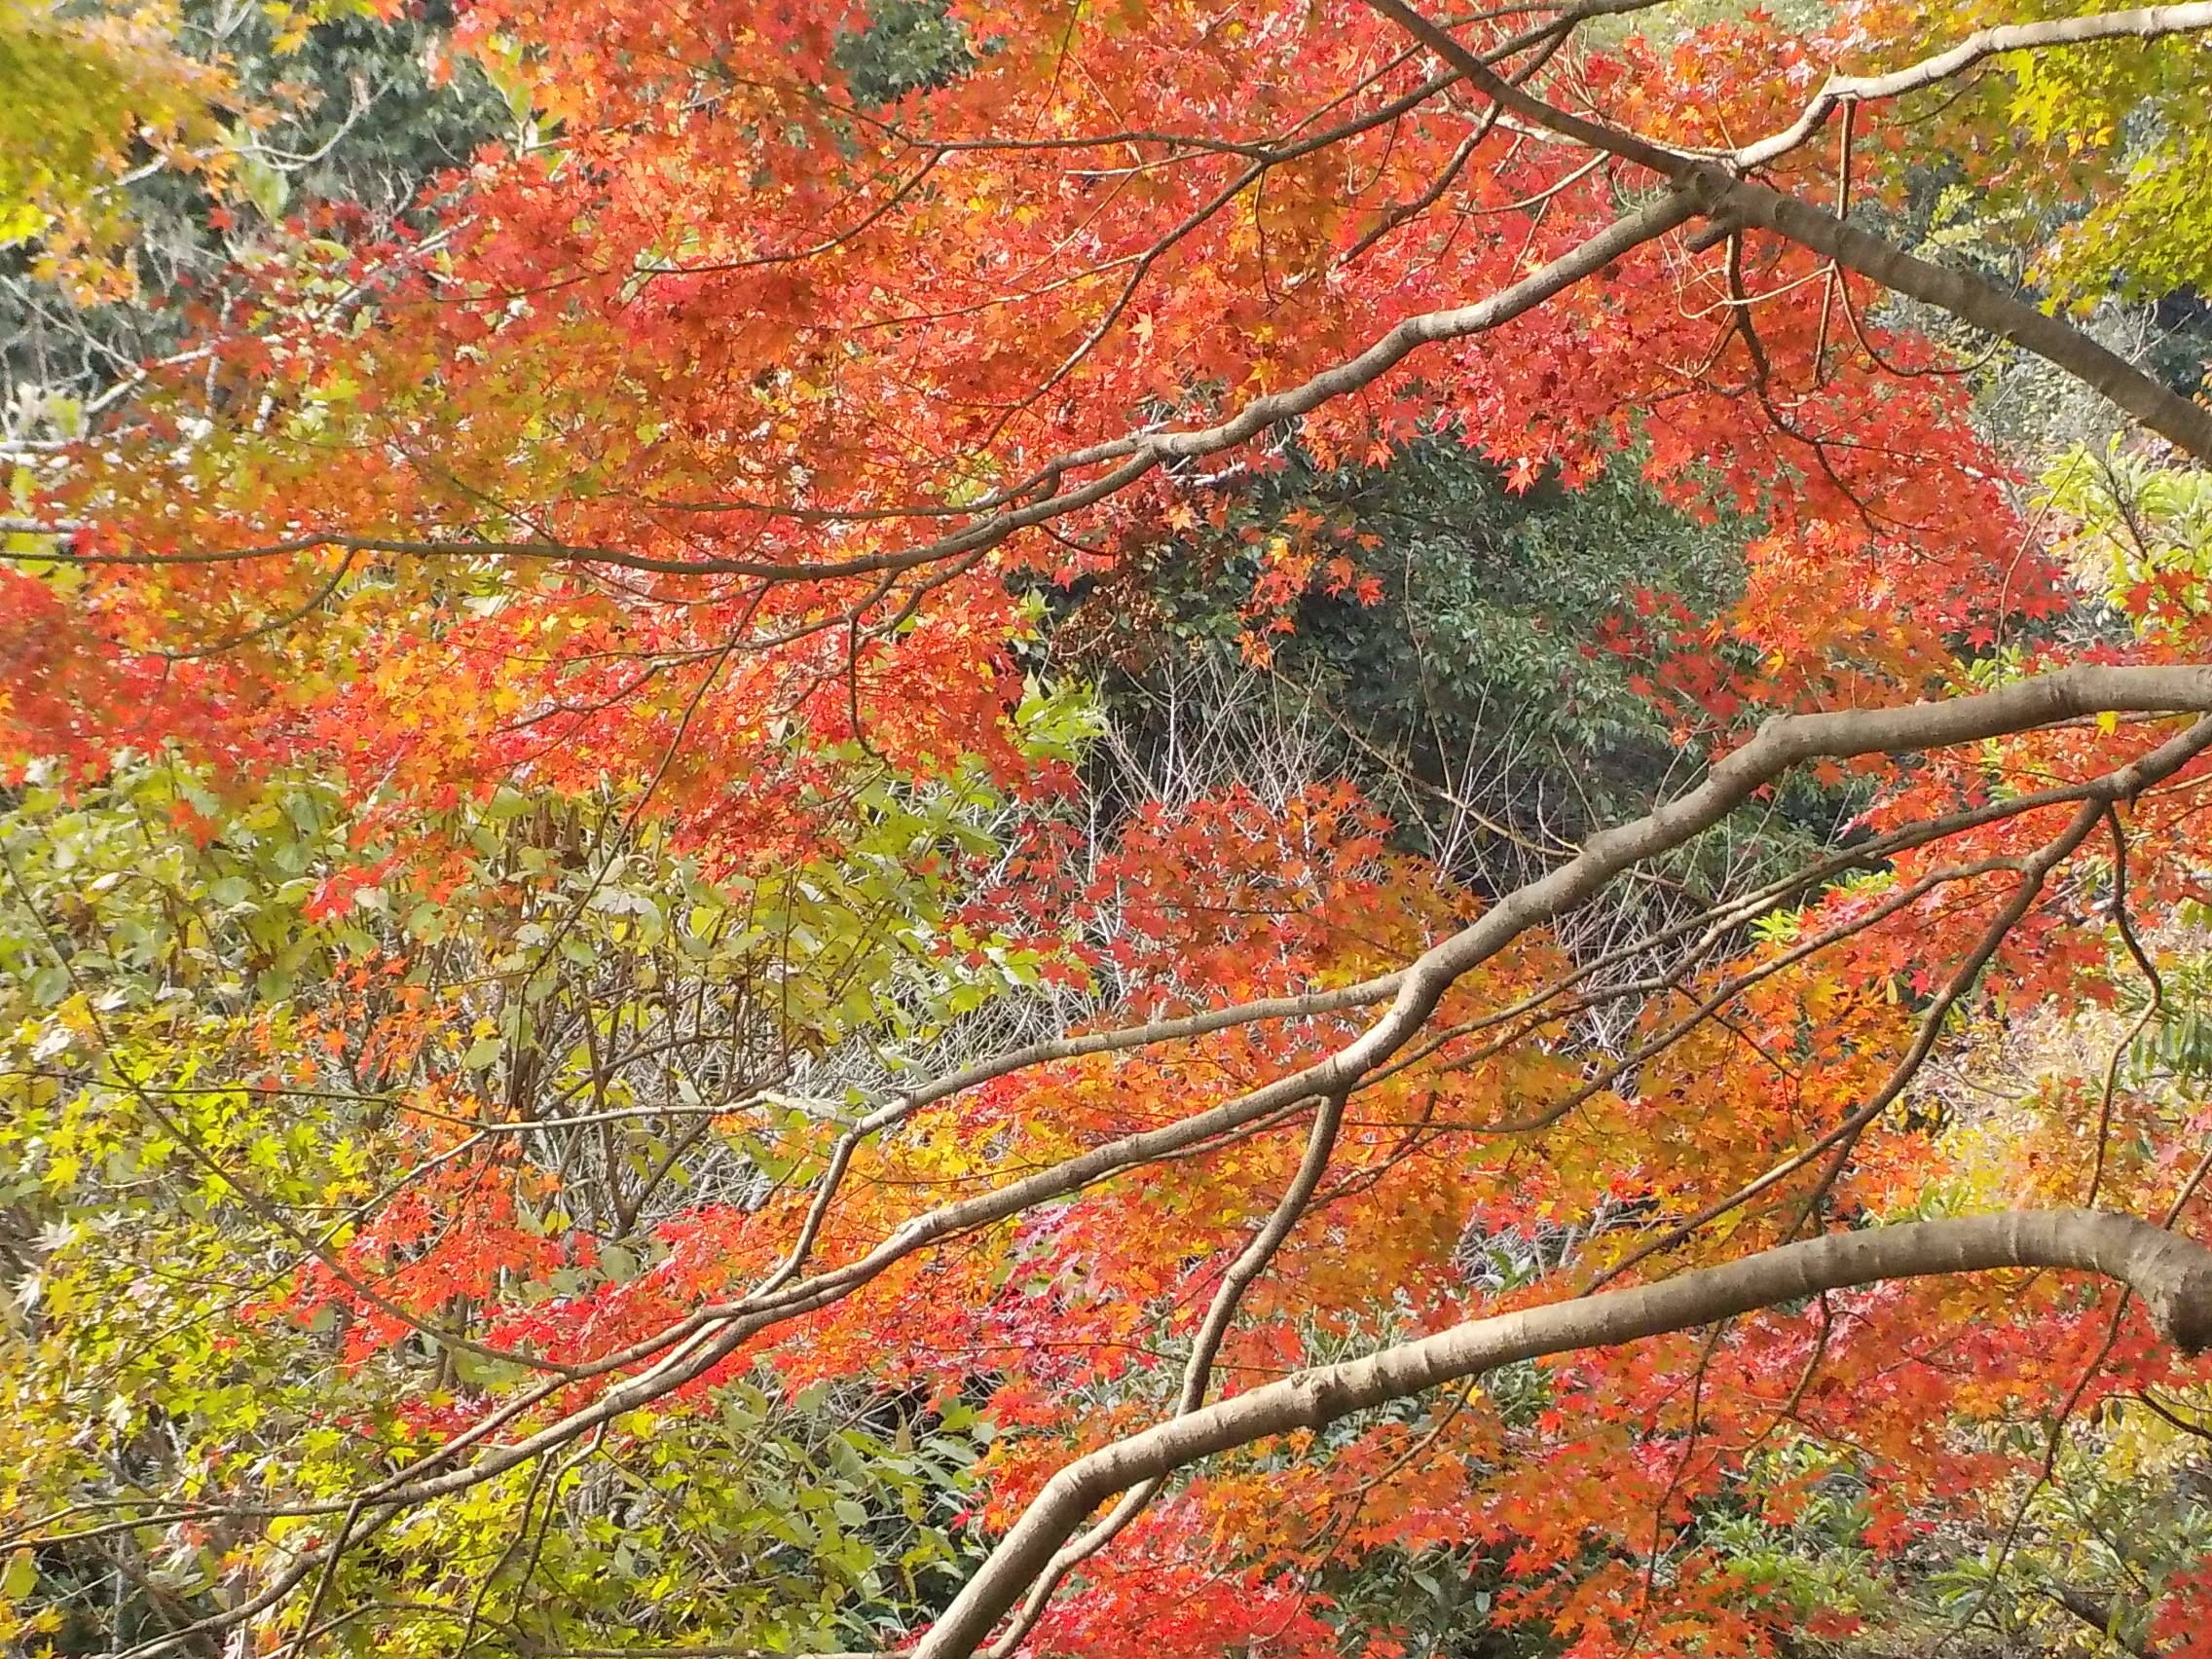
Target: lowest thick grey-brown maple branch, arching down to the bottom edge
x=2169 y=1273
